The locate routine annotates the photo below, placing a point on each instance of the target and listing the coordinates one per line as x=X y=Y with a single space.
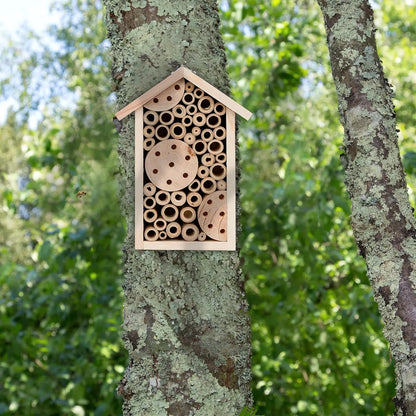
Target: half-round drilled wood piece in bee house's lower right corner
x=212 y=215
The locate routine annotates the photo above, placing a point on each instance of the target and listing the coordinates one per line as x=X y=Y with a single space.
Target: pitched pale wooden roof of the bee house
x=180 y=73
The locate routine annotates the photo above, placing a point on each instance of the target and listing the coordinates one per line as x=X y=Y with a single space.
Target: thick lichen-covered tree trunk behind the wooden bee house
x=185 y=322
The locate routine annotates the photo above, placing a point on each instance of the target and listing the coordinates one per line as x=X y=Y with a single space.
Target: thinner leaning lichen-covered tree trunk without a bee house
x=382 y=218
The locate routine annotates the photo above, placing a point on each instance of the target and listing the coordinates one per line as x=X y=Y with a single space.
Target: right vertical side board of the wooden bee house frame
x=231 y=180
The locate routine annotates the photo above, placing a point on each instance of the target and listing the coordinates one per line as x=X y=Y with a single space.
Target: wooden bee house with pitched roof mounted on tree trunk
x=185 y=186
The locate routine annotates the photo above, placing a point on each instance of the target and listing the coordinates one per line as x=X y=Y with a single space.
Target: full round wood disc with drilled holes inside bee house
x=171 y=165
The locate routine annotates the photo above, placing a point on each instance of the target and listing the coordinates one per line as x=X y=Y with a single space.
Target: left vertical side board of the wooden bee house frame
x=138 y=178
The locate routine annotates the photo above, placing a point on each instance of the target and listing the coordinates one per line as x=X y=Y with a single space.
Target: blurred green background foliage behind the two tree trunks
x=318 y=347
